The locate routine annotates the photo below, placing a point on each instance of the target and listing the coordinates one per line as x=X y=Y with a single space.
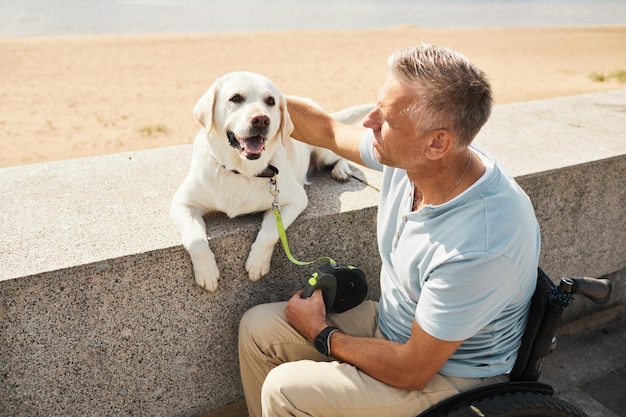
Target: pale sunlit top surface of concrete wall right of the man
x=535 y=137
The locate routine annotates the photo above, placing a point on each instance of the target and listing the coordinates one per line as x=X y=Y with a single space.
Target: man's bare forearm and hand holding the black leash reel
x=408 y=366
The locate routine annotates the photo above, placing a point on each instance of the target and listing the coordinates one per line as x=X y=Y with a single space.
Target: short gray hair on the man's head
x=451 y=92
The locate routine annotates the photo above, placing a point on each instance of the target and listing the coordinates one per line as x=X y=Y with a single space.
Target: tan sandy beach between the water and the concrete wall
x=71 y=97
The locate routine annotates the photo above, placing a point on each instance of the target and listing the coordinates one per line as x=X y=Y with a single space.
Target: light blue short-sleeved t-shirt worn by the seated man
x=464 y=270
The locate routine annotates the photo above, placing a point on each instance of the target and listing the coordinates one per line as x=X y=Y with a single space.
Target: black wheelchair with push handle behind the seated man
x=524 y=396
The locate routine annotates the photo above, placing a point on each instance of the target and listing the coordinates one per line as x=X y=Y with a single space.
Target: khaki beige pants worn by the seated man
x=284 y=375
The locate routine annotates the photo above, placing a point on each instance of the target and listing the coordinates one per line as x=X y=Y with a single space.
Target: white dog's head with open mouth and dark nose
x=247 y=111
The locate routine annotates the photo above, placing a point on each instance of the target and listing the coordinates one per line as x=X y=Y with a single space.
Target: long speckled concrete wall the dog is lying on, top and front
x=98 y=311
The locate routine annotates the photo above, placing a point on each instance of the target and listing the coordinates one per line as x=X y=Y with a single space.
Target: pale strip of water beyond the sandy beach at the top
x=75 y=17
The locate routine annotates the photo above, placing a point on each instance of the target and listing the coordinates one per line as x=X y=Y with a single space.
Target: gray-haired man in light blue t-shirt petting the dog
x=459 y=245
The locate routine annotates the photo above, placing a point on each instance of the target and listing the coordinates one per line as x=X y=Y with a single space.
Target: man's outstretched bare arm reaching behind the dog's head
x=317 y=128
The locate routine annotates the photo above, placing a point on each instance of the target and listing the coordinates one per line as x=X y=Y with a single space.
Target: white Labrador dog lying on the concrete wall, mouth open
x=244 y=140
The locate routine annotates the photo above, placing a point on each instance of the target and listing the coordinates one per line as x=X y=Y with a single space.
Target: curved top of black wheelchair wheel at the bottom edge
x=519 y=405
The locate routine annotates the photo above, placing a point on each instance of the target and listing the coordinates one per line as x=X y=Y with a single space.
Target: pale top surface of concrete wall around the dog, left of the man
x=69 y=213
